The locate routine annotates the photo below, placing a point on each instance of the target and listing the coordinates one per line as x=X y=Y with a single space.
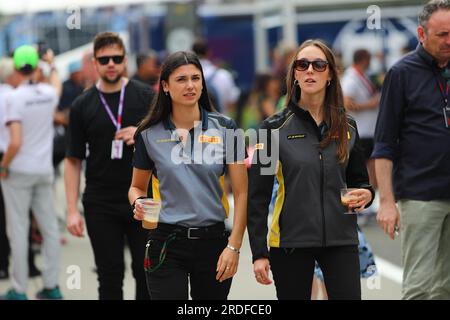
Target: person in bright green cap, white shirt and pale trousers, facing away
x=26 y=174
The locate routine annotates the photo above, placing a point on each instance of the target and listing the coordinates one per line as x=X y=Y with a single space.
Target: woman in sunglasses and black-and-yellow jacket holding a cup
x=318 y=154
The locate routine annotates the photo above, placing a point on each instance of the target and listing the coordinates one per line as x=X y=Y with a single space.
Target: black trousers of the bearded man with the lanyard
x=107 y=232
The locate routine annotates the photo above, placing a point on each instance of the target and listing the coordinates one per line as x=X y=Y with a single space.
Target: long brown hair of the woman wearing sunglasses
x=334 y=112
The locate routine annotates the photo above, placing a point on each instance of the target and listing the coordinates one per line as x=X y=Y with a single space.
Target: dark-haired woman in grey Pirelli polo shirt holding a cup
x=184 y=145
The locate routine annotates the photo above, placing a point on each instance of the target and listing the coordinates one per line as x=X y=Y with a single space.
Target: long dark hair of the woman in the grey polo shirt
x=162 y=104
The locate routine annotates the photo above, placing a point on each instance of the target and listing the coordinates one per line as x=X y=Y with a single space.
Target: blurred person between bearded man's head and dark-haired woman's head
x=148 y=69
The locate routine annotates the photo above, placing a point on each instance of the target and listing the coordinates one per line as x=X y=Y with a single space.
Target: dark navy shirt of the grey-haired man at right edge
x=411 y=130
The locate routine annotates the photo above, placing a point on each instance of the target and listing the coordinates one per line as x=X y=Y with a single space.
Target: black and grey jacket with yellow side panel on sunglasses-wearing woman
x=308 y=210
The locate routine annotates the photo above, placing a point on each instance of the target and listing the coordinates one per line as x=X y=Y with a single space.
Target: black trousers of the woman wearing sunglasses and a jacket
x=293 y=271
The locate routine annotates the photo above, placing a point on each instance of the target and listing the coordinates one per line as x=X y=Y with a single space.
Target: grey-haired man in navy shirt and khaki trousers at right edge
x=413 y=138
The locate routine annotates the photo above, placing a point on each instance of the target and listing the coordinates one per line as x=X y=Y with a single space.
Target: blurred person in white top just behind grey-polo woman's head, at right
x=220 y=82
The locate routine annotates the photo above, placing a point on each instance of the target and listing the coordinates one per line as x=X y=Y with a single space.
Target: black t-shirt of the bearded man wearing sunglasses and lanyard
x=91 y=132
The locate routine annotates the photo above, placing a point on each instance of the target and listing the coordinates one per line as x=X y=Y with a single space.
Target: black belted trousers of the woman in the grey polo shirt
x=186 y=261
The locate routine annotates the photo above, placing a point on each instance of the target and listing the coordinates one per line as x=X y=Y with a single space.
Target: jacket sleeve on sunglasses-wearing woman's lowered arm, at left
x=259 y=195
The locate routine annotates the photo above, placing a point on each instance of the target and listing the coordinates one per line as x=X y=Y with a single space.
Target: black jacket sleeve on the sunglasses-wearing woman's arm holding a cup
x=356 y=174
